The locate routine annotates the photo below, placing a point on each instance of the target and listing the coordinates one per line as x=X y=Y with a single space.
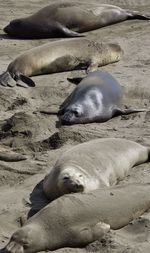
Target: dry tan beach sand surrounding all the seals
x=23 y=129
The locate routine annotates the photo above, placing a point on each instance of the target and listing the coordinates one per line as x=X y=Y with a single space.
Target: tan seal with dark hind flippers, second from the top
x=59 y=56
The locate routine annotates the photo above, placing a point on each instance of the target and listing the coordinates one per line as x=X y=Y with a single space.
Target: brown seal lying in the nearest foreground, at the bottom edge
x=79 y=219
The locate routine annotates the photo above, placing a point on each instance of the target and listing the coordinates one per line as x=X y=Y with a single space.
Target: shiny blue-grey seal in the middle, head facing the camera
x=97 y=98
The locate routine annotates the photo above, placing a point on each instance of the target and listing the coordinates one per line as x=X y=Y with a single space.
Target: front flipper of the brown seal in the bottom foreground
x=92 y=233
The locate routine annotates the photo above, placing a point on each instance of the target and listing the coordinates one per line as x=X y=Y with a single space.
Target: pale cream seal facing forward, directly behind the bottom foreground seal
x=92 y=165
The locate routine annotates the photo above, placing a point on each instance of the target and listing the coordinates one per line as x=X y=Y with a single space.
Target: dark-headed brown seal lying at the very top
x=65 y=19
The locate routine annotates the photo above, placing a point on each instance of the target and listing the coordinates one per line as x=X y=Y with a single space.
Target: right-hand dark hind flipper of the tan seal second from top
x=24 y=81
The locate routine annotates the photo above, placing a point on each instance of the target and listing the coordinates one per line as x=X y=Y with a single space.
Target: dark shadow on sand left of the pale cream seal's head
x=38 y=199
